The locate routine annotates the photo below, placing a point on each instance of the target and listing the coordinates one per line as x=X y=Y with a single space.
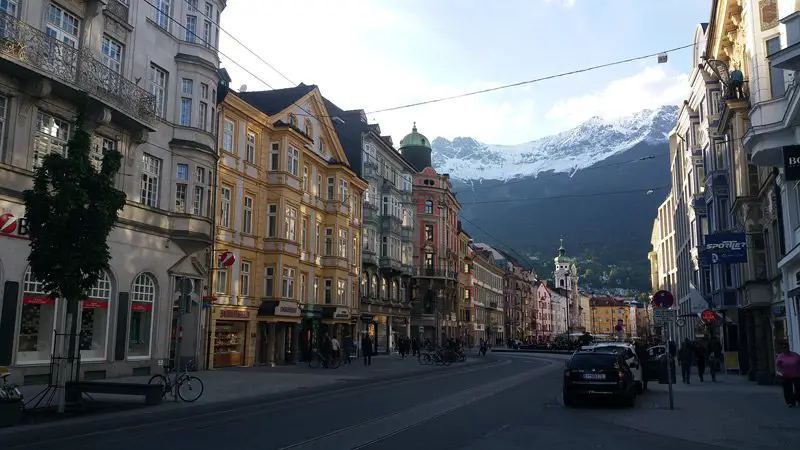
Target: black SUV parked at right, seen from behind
x=595 y=374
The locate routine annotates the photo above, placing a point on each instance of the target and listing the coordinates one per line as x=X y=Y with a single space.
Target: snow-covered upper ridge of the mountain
x=592 y=141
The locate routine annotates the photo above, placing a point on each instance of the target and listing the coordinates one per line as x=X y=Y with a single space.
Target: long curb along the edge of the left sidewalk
x=59 y=428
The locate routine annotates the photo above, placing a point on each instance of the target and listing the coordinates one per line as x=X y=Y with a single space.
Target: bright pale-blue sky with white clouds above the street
x=378 y=54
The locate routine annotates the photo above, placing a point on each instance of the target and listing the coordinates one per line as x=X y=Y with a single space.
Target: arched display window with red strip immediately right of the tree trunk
x=94 y=321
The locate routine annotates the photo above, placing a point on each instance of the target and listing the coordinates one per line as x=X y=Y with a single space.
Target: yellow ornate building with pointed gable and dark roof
x=288 y=239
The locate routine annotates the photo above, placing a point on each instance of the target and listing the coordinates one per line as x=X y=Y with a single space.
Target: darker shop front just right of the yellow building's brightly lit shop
x=279 y=323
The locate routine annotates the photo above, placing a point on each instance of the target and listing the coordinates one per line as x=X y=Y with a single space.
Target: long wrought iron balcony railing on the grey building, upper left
x=32 y=49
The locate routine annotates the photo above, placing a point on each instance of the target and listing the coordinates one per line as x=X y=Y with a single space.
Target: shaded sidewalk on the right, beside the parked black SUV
x=731 y=413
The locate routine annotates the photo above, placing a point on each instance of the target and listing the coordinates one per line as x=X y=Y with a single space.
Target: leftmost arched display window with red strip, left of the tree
x=37 y=320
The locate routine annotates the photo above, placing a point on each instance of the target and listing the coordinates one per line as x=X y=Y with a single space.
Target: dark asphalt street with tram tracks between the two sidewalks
x=511 y=403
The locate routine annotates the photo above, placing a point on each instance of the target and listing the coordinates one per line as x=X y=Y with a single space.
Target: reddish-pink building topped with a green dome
x=435 y=281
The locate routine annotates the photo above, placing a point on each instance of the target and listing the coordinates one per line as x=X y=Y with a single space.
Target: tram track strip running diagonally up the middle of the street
x=373 y=431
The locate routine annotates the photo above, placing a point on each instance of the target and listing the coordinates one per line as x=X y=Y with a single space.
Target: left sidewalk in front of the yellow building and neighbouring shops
x=252 y=382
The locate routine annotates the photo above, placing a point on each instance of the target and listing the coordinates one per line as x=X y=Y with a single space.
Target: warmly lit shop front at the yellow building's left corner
x=232 y=337
